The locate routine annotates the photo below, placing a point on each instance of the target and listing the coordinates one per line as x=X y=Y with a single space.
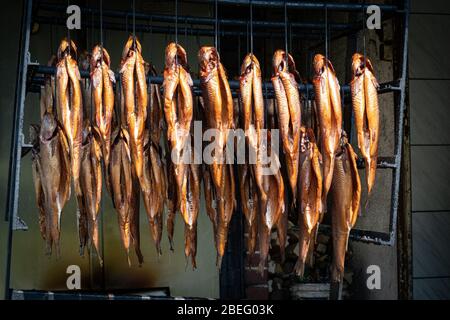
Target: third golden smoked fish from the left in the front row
x=134 y=87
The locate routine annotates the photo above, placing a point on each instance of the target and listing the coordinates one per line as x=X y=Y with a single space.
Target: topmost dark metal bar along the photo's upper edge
x=310 y=5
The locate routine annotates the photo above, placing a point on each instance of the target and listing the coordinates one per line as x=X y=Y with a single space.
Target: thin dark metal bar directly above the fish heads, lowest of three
x=171 y=30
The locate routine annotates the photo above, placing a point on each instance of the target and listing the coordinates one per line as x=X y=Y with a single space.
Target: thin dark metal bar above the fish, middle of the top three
x=202 y=20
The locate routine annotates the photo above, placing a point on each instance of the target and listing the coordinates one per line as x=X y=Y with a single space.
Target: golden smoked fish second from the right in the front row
x=328 y=101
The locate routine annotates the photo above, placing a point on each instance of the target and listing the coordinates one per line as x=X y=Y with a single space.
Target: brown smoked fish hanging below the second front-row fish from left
x=91 y=185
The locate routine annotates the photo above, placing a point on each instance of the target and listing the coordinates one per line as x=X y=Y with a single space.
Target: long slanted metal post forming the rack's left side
x=16 y=144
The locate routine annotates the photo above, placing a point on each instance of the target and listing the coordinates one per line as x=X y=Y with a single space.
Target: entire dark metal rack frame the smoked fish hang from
x=29 y=77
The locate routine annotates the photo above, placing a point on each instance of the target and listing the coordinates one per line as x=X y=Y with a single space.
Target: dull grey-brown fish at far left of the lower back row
x=51 y=172
